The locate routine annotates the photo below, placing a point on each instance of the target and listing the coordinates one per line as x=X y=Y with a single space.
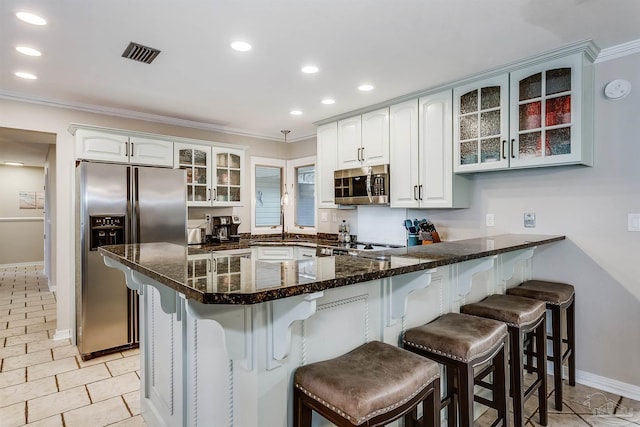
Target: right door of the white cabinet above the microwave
x=375 y=138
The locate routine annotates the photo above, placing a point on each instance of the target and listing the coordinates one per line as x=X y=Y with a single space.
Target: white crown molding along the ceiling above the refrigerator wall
x=136 y=115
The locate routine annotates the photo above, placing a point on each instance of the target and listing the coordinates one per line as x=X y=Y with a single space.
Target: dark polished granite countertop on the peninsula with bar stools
x=226 y=274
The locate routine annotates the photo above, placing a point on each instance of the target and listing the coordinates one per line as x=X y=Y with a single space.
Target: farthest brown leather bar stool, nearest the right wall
x=558 y=297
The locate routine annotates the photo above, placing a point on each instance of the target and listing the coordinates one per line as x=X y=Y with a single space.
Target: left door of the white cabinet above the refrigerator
x=93 y=145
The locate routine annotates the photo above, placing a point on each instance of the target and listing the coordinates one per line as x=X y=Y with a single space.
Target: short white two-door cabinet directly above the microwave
x=364 y=140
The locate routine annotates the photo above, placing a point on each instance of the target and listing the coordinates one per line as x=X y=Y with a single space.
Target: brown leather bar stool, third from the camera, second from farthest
x=522 y=316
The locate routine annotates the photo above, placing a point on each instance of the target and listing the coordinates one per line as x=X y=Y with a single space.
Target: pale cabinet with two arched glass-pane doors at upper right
x=540 y=115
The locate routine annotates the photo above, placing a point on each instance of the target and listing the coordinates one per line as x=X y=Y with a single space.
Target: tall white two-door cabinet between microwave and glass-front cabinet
x=421 y=157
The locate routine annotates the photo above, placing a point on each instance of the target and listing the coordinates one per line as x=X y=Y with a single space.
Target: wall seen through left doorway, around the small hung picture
x=22 y=230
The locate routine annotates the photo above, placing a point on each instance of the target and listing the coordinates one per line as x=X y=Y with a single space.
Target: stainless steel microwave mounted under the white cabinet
x=368 y=185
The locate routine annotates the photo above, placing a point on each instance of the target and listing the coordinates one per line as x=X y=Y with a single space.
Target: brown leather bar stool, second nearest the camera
x=461 y=342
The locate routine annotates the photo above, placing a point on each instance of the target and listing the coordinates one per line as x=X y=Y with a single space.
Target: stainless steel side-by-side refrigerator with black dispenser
x=120 y=204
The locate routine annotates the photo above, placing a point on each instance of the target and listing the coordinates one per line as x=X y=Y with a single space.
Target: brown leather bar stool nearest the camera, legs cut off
x=373 y=385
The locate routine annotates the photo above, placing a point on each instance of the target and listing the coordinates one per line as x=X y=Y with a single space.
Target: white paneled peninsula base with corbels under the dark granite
x=232 y=365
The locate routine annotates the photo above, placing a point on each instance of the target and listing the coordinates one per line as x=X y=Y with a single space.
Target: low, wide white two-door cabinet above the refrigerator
x=120 y=148
